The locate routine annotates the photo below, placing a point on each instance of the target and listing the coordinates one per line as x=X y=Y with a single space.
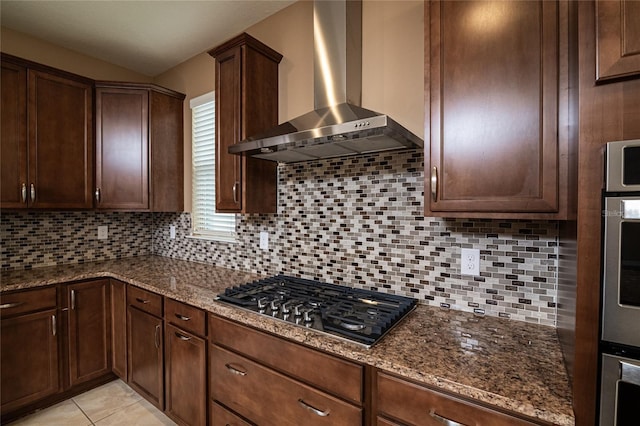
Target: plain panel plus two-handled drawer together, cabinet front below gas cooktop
x=307 y=386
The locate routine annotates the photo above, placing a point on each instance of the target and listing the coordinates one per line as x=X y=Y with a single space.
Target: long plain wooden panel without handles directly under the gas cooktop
x=329 y=373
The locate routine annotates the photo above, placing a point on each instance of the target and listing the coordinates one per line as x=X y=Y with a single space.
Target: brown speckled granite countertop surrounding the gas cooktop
x=511 y=365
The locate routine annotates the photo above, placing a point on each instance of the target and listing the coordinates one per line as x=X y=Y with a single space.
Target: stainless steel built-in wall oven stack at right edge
x=620 y=337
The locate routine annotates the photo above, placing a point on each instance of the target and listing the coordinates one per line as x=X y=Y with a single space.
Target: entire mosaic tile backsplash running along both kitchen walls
x=356 y=221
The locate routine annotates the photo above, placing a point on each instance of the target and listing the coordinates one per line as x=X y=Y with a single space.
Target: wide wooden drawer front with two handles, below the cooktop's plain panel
x=270 y=398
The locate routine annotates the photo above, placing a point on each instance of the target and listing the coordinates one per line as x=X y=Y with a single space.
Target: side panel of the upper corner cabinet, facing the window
x=167 y=152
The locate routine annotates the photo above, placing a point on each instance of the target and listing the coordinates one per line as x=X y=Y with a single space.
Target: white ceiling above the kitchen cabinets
x=149 y=37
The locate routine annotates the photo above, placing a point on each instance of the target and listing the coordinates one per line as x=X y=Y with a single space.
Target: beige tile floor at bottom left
x=112 y=404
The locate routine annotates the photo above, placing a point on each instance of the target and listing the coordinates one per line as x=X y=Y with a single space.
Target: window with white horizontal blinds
x=206 y=223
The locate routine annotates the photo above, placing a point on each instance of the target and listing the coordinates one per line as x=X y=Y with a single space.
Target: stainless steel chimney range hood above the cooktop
x=338 y=126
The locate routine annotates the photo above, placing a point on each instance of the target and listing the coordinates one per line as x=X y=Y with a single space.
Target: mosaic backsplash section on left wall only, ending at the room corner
x=46 y=238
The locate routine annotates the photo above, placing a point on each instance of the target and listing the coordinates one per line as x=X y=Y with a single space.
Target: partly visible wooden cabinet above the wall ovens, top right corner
x=617 y=39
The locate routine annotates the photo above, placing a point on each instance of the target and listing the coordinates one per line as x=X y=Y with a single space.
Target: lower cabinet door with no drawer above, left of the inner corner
x=89 y=330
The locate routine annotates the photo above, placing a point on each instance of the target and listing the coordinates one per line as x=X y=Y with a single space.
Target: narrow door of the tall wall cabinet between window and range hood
x=228 y=130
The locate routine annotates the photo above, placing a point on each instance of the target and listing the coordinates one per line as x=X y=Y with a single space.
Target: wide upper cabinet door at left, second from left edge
x=60 y=163
